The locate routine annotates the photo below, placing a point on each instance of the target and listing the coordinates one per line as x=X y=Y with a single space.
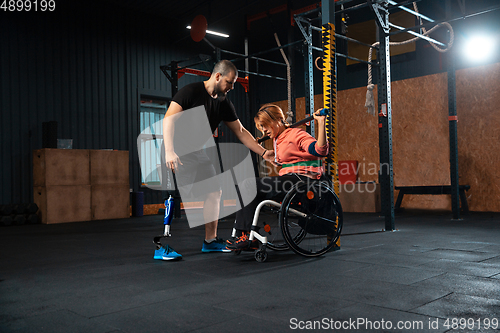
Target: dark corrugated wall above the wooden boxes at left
x=82 y=68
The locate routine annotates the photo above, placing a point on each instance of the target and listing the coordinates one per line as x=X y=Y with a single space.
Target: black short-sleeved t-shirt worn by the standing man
x=195 y=94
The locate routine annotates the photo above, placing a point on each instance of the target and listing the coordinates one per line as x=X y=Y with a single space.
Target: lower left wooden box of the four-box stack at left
x=63 y=203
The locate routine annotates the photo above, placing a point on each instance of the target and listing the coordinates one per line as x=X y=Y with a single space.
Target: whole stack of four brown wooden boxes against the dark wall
x=71 y=185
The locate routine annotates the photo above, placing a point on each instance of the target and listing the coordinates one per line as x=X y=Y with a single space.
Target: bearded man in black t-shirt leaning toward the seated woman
x=212 y=95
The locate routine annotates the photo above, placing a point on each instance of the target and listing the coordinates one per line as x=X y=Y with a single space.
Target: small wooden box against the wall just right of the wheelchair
x=360 y=197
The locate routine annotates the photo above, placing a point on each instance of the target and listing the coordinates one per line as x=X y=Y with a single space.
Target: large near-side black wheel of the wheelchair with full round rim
x=311 y=218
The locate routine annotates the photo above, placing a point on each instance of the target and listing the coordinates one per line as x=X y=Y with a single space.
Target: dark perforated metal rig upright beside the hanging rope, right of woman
x=385 y=115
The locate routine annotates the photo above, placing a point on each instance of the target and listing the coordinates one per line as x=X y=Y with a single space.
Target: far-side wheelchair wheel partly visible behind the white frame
x=269 y=224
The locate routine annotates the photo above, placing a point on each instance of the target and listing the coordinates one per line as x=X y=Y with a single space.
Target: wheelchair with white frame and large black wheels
x=309 y=222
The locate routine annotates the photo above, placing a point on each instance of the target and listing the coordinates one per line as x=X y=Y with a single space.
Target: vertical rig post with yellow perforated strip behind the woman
x=330 y=87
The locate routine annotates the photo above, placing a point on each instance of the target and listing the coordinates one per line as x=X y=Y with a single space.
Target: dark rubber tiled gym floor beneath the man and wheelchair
x=100 y=276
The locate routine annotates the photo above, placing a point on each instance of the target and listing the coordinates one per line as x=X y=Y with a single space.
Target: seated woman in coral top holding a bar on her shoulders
x=299 y=155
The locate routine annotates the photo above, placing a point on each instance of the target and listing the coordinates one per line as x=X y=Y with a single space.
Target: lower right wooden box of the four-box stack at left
x=110 y=201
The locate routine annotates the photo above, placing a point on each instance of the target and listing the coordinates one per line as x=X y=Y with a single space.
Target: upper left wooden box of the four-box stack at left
x=61 y=167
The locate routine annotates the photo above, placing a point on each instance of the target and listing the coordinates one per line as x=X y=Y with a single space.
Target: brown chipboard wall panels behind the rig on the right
x=420 y=135
